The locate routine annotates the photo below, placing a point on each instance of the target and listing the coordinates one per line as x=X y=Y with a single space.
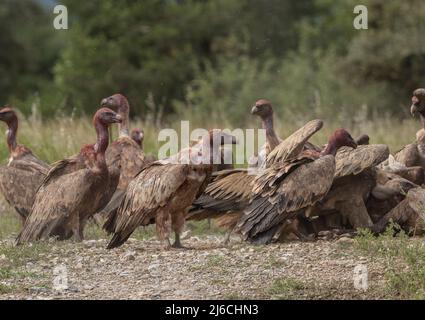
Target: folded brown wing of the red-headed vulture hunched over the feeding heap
x=283 y=190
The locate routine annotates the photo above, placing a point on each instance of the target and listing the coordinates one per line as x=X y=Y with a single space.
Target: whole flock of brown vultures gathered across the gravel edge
x=291 y=189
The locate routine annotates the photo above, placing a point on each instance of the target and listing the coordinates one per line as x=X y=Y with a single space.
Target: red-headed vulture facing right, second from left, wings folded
x=74 y=189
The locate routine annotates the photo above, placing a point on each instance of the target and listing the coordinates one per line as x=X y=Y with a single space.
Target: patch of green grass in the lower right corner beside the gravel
x=404 y=259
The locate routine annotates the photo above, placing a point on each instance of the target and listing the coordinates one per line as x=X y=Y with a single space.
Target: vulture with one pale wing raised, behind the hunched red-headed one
x=228 y=194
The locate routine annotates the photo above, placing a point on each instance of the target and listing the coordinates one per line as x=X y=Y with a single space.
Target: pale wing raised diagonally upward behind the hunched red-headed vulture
x=294 y=144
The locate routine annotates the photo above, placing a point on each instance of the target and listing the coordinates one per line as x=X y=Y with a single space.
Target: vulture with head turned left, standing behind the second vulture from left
x=124 y=154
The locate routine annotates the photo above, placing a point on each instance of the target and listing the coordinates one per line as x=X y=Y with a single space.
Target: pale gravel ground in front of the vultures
x=322 y=269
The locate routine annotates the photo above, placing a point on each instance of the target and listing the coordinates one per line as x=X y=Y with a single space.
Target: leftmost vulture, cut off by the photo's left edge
x=21 y=177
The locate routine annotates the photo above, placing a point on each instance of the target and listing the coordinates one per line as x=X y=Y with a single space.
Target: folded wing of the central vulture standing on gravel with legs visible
x=152 y=189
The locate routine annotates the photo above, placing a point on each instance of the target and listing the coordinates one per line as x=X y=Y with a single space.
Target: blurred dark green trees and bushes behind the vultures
x=212 y=59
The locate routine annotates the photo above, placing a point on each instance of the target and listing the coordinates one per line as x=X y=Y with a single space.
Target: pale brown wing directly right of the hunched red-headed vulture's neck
x=354 y=161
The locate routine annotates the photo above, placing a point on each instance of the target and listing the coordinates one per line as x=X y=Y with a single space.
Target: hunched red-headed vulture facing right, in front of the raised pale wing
x=286 y=188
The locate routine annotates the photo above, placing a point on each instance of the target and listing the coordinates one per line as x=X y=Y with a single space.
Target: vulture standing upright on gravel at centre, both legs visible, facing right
x=164 y=190
